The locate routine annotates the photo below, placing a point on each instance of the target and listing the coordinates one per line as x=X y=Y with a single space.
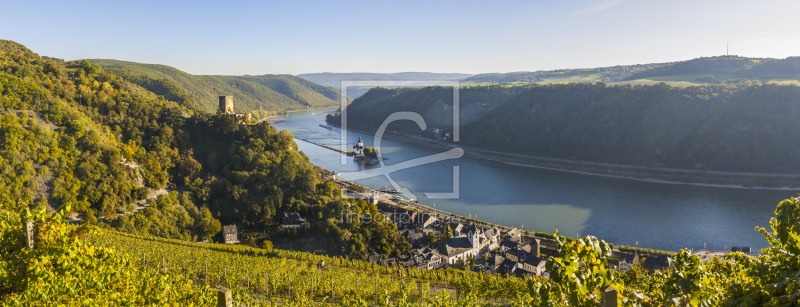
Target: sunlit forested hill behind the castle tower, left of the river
x=265 y=92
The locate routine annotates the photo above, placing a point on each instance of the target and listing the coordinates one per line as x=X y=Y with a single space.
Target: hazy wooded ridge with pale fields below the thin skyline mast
x=727 y=67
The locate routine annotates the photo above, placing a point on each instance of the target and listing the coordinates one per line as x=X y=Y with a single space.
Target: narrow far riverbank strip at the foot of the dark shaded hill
x=654 y=175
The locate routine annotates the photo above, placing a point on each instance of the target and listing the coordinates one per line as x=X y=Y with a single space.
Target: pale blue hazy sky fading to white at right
x=260 y=37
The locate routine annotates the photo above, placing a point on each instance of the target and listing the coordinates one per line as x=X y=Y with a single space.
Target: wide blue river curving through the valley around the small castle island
x=622 y=211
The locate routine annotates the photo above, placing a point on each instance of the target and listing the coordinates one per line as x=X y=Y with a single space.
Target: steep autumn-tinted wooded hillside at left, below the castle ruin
x=74 y=135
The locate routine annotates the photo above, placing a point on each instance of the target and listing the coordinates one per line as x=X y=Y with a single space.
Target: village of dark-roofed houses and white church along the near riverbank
x=441 y=240
